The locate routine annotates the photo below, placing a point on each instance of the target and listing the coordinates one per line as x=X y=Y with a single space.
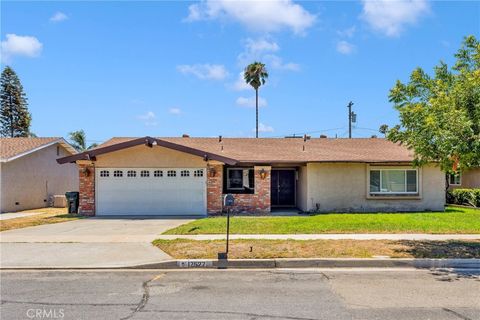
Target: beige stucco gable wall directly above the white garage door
x=155 y=157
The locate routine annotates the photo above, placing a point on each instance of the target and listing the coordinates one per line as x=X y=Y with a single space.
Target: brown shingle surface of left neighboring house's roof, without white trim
x=11 y=147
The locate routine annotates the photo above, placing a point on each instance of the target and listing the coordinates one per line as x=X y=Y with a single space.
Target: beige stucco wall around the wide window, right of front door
x=342 y=187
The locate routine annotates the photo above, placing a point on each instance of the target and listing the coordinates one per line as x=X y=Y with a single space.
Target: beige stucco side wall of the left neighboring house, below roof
x=31 y=179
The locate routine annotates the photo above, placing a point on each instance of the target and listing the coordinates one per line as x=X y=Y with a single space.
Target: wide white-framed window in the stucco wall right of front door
x=393 y=181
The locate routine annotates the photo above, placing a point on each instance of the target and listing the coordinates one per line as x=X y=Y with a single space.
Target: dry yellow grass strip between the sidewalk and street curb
x=262 y=249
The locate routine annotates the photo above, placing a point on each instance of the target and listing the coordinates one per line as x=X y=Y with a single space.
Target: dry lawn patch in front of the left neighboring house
x=46 y=216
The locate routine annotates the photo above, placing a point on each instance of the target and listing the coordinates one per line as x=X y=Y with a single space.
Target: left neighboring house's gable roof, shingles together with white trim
x=14 y=148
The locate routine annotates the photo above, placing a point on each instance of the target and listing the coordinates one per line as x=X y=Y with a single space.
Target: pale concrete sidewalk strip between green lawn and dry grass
x=346 y=236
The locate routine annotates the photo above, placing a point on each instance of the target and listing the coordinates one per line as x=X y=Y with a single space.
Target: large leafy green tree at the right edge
x=440 y=115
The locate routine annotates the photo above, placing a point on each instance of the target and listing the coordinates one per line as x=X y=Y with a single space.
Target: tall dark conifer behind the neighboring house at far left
x=14 y=116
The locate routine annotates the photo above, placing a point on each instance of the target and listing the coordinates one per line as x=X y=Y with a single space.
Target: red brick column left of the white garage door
x=86 y=171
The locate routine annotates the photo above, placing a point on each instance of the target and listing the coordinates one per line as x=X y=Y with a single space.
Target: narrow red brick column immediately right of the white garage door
x=214 y=188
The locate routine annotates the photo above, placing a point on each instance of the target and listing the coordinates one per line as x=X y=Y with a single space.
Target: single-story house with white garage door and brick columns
x=190 y=176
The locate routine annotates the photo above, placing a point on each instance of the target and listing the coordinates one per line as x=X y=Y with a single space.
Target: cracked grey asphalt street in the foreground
x=300 y=294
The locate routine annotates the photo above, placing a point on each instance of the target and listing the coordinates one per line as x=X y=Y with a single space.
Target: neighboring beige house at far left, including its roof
x=29 y=173
